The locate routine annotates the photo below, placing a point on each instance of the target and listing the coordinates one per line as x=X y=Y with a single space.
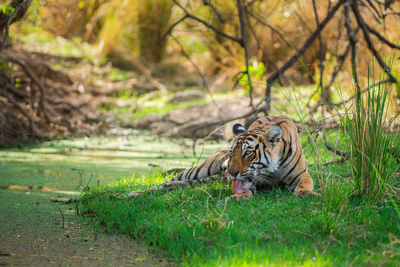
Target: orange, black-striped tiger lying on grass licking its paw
x=267 y=154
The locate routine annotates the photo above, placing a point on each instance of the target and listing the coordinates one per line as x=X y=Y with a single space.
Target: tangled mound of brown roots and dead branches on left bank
x=40 y=107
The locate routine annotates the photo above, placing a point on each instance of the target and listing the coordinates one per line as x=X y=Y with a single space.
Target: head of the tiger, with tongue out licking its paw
x=254 y=155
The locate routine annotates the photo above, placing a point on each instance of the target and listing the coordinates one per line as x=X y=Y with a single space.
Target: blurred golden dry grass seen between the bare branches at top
x=118 y=26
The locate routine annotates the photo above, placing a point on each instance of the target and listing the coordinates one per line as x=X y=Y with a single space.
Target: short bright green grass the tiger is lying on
x=196 y=227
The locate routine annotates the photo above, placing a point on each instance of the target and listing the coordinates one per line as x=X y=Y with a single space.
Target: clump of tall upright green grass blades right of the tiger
x=369 y=130
